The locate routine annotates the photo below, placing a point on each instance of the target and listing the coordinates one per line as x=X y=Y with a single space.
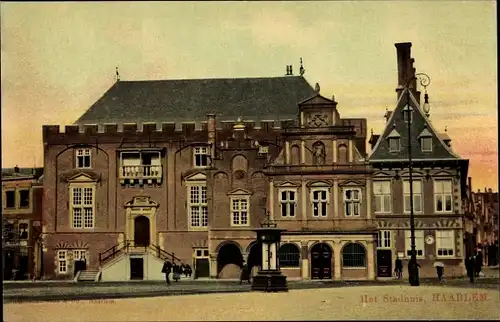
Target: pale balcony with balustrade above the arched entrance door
x=141 y=168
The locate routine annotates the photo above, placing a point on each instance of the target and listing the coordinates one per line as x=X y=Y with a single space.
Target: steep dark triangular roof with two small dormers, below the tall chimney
x=420 y=124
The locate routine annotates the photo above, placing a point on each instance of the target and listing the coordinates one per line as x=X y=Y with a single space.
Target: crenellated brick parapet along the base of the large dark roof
x=186 y=131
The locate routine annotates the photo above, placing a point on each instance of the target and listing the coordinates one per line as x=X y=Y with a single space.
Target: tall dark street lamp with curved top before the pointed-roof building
x=424 y=80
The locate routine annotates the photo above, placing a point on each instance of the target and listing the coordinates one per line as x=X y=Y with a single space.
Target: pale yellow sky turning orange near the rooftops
x=57 y=59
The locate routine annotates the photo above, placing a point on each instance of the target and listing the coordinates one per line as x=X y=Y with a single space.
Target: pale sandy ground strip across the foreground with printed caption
x=396 y=302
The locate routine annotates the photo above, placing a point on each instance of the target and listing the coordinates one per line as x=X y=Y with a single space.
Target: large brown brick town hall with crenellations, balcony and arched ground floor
x=122 y=191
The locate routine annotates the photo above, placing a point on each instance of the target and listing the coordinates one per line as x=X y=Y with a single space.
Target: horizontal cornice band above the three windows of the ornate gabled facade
x=348 y=168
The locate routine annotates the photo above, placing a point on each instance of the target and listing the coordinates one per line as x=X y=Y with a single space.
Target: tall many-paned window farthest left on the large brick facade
x=82 y=207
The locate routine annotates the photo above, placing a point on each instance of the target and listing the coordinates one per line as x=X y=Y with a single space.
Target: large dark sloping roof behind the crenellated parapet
x=192 y=99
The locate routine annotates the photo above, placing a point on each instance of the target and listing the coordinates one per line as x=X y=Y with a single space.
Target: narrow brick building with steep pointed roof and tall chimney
x=439 y=181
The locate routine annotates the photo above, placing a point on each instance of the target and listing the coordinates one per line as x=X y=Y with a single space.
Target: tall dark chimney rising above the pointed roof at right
x=405 y=69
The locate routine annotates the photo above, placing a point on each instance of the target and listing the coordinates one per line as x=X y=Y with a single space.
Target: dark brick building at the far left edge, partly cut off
x=21 y=222
